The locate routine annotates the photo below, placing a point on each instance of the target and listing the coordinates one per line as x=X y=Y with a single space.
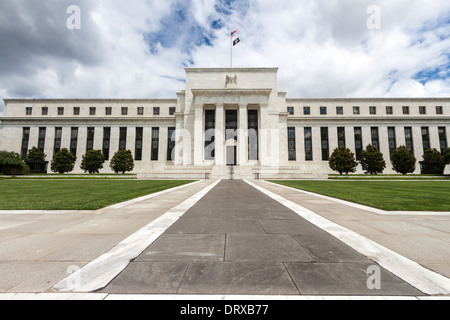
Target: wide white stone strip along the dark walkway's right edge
x=421 y=278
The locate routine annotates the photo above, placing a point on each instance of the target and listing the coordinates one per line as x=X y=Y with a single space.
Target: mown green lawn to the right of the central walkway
x=386 y=195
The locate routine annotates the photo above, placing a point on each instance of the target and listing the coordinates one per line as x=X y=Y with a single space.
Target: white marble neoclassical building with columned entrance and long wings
x=227 y=122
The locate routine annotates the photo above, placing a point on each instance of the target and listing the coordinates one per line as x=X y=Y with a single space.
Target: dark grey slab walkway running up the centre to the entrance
x=238 y=241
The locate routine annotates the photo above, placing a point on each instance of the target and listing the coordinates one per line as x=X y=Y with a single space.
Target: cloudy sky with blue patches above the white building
x=139 y=48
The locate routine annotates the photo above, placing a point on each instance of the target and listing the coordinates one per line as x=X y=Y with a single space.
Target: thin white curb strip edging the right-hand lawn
x=363 y=207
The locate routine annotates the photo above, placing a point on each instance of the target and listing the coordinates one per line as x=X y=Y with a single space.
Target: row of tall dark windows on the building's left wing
x=106 y=144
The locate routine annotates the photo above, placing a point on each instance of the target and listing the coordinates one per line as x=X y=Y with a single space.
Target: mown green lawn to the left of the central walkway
x=74 y=194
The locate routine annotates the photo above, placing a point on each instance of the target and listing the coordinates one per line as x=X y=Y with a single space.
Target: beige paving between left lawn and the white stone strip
x=39 y=249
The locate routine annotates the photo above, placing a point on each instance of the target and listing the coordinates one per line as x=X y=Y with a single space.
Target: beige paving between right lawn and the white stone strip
x=424 y=239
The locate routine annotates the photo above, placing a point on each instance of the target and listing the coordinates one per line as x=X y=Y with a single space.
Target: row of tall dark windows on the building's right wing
x=358 y=140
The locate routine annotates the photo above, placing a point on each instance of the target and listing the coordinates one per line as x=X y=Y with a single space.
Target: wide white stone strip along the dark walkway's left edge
x=97 y=274
